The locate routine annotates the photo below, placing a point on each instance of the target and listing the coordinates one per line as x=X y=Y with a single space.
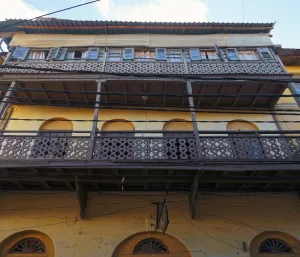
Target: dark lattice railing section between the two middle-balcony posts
x=144 y=149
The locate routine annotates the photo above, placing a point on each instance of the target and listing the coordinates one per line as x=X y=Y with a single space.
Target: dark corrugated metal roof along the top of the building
x=62 y=26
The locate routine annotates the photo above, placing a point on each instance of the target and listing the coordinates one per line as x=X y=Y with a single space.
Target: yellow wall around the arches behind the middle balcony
x=46 y=112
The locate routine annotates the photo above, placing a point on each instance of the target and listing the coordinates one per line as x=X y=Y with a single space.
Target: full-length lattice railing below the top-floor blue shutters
x=135 y=67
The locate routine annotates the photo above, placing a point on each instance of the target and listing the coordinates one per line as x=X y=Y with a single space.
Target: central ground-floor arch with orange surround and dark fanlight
x=151 y=244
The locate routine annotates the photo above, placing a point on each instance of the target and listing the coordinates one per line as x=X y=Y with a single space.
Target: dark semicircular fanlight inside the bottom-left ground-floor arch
x=28 y=245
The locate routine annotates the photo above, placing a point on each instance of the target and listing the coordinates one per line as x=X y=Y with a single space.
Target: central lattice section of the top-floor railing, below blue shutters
x=145 y=67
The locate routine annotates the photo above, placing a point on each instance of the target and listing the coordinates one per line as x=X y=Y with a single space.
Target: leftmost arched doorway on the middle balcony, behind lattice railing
x=53 y=139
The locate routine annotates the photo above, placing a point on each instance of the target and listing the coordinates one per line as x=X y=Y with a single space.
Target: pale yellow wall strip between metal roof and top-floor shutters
x=231 y=40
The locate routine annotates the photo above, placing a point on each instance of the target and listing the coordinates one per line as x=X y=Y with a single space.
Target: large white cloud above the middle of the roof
x=154 y=10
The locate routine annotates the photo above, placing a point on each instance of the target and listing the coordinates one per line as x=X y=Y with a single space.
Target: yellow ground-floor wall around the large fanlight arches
x=111 y=219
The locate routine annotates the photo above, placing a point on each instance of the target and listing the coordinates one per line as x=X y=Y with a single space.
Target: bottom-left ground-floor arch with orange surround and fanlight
x=27 y=244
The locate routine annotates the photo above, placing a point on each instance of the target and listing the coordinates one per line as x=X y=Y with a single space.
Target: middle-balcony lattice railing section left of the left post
x=30 y=147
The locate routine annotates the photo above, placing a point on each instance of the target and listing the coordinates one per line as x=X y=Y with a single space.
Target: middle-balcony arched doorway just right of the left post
x=118 y=136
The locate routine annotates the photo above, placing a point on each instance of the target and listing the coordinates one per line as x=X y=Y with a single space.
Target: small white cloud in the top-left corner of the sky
x=15 y=9
